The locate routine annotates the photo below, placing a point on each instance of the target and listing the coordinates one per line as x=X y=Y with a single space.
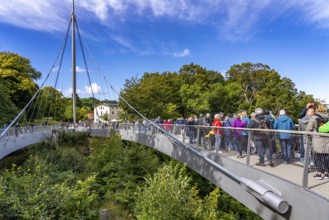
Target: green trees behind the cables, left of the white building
x=17 y=87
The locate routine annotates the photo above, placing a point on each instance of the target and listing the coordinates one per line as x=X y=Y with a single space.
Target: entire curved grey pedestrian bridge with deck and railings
x=285 y=191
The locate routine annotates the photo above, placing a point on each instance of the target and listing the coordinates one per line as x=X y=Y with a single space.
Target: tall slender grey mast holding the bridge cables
x=74 y=88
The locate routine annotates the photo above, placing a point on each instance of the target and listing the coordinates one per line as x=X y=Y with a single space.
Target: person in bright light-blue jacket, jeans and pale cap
x=284 y=122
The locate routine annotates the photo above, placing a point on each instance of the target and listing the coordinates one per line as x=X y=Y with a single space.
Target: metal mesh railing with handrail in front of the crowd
x=295 y=156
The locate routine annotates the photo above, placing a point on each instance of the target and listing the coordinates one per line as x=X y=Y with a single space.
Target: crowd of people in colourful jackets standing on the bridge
x=228 y=136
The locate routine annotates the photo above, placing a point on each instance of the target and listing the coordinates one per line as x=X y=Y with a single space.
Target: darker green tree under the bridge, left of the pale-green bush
x=120 y=170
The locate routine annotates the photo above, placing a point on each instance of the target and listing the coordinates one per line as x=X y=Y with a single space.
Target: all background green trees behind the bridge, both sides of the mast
x=189 y=91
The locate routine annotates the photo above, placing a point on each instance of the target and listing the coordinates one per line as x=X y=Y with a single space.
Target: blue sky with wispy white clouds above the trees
x=130 y=37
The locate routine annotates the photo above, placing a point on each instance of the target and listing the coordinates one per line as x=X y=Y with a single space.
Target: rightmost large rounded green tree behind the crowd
x=263 y=87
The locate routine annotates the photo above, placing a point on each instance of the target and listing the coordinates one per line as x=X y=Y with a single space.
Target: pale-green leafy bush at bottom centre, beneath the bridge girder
x=169 y=195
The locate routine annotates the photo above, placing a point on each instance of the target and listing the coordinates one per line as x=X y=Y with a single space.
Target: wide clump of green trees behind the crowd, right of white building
x=194 y=90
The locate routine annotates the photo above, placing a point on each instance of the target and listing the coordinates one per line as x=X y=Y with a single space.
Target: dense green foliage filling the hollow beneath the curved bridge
x=66 y=181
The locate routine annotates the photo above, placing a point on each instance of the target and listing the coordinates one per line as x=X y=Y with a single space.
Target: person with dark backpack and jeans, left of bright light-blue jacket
x=261 y=138
